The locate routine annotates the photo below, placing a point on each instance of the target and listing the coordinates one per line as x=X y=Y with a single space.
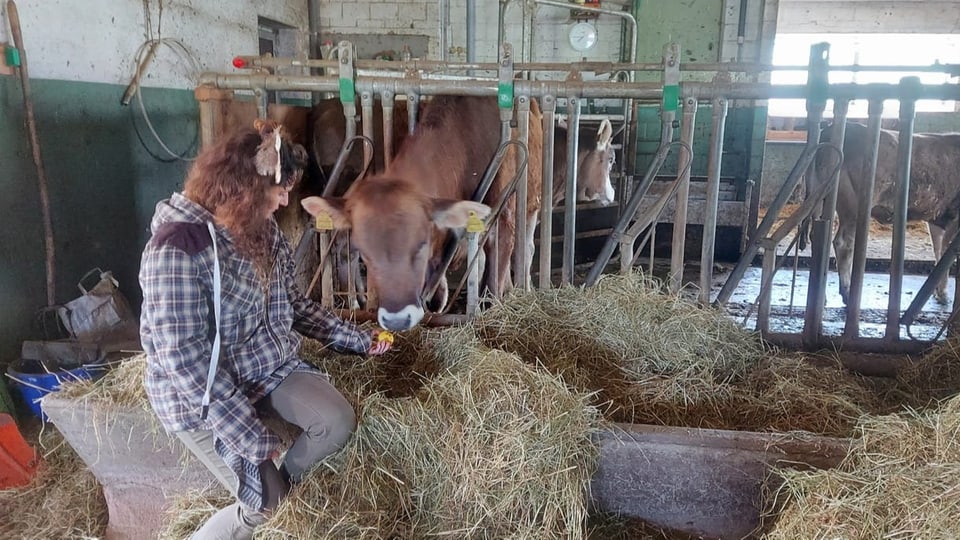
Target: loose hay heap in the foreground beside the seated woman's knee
x=490 y=448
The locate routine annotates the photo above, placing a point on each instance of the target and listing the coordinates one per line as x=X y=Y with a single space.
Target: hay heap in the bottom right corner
x=899 y=481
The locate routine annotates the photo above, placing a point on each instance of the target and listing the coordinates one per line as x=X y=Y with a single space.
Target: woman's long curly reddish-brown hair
x=225 y=181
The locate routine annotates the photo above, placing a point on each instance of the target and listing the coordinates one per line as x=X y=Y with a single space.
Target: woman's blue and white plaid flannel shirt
x=259 y=328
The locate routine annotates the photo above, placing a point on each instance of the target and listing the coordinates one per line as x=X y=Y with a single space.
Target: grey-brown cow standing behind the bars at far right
x=934 y=190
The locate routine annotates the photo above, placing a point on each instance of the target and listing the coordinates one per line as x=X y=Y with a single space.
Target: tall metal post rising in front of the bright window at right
x=821 y=224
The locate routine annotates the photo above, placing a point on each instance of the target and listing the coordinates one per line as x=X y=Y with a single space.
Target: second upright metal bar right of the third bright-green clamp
x=719 y=115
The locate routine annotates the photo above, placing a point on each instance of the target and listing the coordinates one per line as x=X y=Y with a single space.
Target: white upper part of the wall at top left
x=97 y=40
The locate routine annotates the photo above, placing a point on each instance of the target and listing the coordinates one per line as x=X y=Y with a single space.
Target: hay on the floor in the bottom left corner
x=63 y=500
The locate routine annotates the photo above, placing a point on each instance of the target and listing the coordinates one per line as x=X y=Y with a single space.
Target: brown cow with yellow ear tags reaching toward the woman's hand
x=397 y=217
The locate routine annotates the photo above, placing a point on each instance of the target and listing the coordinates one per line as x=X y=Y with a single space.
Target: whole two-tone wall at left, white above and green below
x=104 y=182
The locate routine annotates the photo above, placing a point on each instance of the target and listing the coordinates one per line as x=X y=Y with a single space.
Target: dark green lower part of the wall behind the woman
x=103 y=183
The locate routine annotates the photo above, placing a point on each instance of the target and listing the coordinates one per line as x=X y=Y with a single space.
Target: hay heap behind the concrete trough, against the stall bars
x=656 y=358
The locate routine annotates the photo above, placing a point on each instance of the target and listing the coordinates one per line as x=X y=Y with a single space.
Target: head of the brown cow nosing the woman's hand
x=396 y=229
